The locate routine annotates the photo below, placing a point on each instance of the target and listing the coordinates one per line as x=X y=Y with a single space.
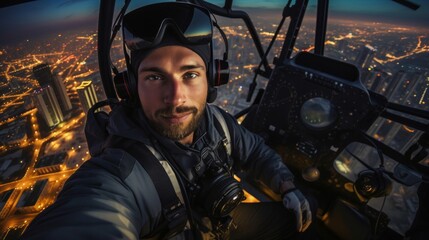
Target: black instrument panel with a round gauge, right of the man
x=312 y=101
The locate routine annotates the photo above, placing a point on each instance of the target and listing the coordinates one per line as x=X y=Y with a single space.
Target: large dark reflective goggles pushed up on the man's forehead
x=145 y=27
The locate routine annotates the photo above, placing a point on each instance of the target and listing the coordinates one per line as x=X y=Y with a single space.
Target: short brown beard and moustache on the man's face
x=177 y=131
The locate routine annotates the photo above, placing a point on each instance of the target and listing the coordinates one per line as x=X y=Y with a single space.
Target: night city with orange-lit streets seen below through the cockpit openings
x=48 y=85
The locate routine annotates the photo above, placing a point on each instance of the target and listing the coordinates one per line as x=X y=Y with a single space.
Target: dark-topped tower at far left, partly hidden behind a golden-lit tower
x=44 y=76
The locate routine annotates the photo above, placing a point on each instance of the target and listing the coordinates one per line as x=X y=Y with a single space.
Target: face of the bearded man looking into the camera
x=172 y=87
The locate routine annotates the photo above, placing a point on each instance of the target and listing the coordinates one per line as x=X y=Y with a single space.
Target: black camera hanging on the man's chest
x=219 y=193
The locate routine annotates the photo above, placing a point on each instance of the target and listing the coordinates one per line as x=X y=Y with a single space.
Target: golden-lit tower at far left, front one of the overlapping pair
x=48 y=106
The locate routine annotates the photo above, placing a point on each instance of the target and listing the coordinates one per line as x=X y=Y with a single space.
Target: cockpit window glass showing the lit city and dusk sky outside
x=49 y=78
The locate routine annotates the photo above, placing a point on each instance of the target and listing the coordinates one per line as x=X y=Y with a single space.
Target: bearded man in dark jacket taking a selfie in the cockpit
x=112 y=196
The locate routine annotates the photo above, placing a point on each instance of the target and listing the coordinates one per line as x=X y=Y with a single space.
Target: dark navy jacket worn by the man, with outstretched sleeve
x=111 y=196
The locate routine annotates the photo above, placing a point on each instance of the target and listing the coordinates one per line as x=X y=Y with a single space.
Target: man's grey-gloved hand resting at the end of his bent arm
x=294 y=200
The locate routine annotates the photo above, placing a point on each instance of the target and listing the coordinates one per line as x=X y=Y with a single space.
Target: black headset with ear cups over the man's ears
x=126 y=83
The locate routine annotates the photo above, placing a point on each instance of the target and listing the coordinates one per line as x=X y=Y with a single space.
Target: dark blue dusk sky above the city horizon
x=43 y=16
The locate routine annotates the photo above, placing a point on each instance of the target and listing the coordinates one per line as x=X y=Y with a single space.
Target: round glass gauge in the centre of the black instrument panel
x=318 y=113
